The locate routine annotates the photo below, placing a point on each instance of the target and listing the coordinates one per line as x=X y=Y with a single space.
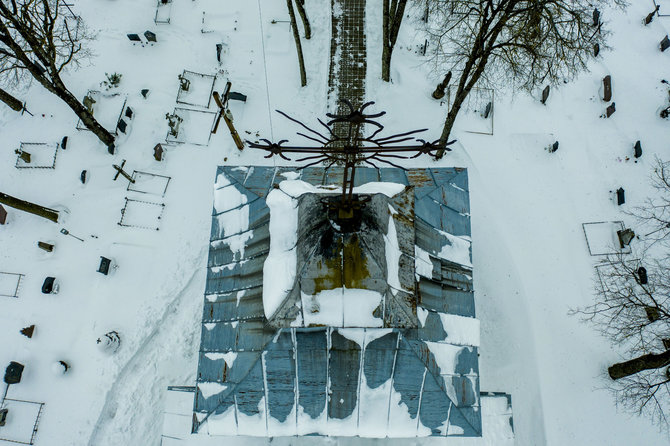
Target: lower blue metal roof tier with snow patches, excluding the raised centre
x=261 y=377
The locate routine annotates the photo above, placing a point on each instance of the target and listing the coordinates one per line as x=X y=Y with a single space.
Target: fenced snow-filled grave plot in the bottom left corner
x=22 y=420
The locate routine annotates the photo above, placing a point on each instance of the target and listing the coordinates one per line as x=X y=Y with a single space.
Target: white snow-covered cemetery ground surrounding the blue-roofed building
x=530 y=256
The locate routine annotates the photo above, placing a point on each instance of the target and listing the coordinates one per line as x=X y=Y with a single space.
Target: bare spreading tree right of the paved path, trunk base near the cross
x=522 y=43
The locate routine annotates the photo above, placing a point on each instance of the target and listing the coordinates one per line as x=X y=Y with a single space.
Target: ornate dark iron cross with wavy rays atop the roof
x=350 y=150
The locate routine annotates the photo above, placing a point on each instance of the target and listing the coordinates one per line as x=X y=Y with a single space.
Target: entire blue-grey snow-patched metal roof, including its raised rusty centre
x=288 y=371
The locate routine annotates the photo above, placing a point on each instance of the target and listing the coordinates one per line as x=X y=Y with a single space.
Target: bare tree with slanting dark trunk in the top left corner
x=36 y=40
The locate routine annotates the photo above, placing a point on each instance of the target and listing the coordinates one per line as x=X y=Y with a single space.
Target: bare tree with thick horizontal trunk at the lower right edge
x=632 y=310
